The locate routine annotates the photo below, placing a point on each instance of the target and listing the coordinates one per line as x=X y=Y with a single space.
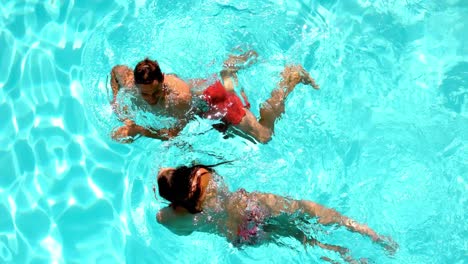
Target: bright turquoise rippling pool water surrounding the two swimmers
x=385 y=141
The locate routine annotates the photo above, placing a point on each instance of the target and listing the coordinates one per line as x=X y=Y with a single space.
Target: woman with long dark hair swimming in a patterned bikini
x=199 y=201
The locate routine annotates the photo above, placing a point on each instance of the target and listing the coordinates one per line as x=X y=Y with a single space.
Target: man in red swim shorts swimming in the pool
x=174 y=97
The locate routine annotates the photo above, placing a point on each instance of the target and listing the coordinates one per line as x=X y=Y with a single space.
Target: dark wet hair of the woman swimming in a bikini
x=176 y=188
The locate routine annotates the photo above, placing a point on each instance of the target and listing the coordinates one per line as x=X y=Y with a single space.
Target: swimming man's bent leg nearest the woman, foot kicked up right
x=262 y=129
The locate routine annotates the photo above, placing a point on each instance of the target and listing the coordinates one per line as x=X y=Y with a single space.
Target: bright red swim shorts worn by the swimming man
x=223 y=104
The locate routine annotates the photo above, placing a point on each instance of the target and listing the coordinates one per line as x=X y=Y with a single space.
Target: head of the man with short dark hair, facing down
x=149 y=78
